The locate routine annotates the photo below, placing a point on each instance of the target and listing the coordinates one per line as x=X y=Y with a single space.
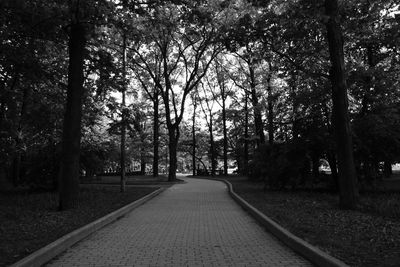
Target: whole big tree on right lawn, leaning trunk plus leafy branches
x=294 y=47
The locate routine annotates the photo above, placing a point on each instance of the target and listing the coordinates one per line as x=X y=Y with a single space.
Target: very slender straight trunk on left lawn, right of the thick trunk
x=123 y=117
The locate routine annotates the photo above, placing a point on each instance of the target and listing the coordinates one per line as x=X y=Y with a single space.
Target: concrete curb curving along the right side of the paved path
x=308 y=251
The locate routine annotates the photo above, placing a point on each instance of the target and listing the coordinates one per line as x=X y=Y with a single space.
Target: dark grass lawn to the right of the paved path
x=369 y=236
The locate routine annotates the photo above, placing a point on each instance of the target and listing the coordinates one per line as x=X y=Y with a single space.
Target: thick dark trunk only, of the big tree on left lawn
x=69 y=169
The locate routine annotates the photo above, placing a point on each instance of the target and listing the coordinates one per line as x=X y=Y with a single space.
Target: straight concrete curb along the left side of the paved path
x=48 y=252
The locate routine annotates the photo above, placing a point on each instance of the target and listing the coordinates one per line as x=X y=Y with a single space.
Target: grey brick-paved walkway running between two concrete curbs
x=192 y=224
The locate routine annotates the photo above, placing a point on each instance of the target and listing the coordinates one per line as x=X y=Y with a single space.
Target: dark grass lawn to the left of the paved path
x=29 y=221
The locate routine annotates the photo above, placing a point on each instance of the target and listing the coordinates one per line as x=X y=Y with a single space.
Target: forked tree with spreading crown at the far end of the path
x=179 y=43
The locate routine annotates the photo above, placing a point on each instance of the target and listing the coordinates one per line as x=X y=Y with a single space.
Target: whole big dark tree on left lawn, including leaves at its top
x=82 y=17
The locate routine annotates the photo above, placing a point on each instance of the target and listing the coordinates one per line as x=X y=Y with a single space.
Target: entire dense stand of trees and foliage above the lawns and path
x=105 y=86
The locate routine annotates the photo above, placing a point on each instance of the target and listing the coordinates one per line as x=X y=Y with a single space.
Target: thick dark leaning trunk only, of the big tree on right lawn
x=347 y=174
